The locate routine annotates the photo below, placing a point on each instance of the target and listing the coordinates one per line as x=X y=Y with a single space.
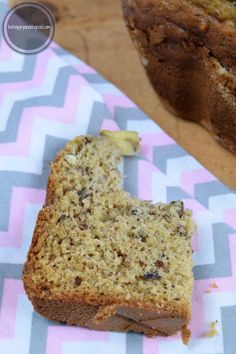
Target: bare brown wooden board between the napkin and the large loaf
x=94 y=30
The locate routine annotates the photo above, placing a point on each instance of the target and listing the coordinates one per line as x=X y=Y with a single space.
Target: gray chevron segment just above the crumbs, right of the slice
x=222 y=265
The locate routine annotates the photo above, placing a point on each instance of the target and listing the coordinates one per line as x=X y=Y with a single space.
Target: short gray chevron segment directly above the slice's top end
x=99 y=113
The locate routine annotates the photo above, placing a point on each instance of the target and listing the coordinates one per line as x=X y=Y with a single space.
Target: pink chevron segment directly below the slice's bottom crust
x=58 y=335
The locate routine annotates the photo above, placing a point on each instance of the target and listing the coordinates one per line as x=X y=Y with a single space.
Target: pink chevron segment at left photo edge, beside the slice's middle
x=20 y=198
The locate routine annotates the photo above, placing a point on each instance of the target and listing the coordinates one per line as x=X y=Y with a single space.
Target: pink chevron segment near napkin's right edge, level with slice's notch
x=190 y=178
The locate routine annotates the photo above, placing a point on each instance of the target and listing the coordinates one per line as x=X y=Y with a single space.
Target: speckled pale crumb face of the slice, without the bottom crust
x=94 y=238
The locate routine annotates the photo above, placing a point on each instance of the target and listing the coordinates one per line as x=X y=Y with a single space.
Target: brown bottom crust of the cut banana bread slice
x=123 y=319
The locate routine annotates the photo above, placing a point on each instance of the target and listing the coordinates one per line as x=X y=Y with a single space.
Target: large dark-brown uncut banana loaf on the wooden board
x=188 y=48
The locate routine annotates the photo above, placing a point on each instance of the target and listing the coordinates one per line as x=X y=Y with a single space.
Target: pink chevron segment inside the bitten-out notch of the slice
x=145 y=170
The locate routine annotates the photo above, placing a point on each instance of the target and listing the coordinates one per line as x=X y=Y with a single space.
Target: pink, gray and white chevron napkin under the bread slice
x=45 y=100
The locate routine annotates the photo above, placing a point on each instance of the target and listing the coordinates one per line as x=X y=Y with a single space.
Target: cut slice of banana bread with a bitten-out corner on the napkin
x=102 y=259
